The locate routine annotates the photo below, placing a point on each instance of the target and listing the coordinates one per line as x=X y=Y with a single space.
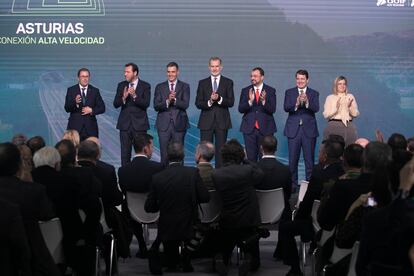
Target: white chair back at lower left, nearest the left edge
x=53 y=236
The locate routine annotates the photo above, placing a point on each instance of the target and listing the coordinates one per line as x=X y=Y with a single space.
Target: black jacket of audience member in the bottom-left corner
x=14 y=249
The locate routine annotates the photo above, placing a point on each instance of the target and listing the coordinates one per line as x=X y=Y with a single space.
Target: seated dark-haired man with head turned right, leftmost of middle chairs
x=136 y=177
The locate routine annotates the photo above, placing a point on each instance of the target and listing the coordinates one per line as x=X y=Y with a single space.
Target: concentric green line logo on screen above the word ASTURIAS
x=53 y=8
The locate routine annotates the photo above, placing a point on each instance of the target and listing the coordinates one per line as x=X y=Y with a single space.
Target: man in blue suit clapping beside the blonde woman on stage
x=301 y=103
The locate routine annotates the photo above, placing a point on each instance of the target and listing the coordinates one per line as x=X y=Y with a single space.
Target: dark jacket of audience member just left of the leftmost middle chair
x=111 y=195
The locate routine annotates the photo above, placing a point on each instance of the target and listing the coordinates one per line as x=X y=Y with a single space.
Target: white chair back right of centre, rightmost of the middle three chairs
x=272 y=204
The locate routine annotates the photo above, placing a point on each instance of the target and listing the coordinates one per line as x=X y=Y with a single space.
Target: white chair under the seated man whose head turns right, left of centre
x=136 y=203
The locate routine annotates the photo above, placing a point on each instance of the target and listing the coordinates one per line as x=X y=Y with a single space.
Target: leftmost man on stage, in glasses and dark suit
x=84 y=102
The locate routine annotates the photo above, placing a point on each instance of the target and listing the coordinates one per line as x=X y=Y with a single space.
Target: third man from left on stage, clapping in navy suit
x=171 y=101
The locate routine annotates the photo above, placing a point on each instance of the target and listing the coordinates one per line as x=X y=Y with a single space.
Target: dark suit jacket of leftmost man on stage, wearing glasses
x=76 y=119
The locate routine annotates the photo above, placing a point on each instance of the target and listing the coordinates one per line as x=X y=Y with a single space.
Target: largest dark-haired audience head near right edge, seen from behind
x=376 y=155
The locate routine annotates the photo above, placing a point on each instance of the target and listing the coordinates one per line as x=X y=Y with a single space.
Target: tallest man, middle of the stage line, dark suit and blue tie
x=214 y=97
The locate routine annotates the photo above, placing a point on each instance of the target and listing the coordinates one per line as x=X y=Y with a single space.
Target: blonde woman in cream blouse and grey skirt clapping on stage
x=340 y=109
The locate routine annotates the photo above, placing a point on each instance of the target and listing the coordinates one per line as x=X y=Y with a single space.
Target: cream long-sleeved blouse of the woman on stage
x=344 y=112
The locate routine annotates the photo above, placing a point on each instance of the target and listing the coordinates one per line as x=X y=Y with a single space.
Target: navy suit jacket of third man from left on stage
x=175 y=112
